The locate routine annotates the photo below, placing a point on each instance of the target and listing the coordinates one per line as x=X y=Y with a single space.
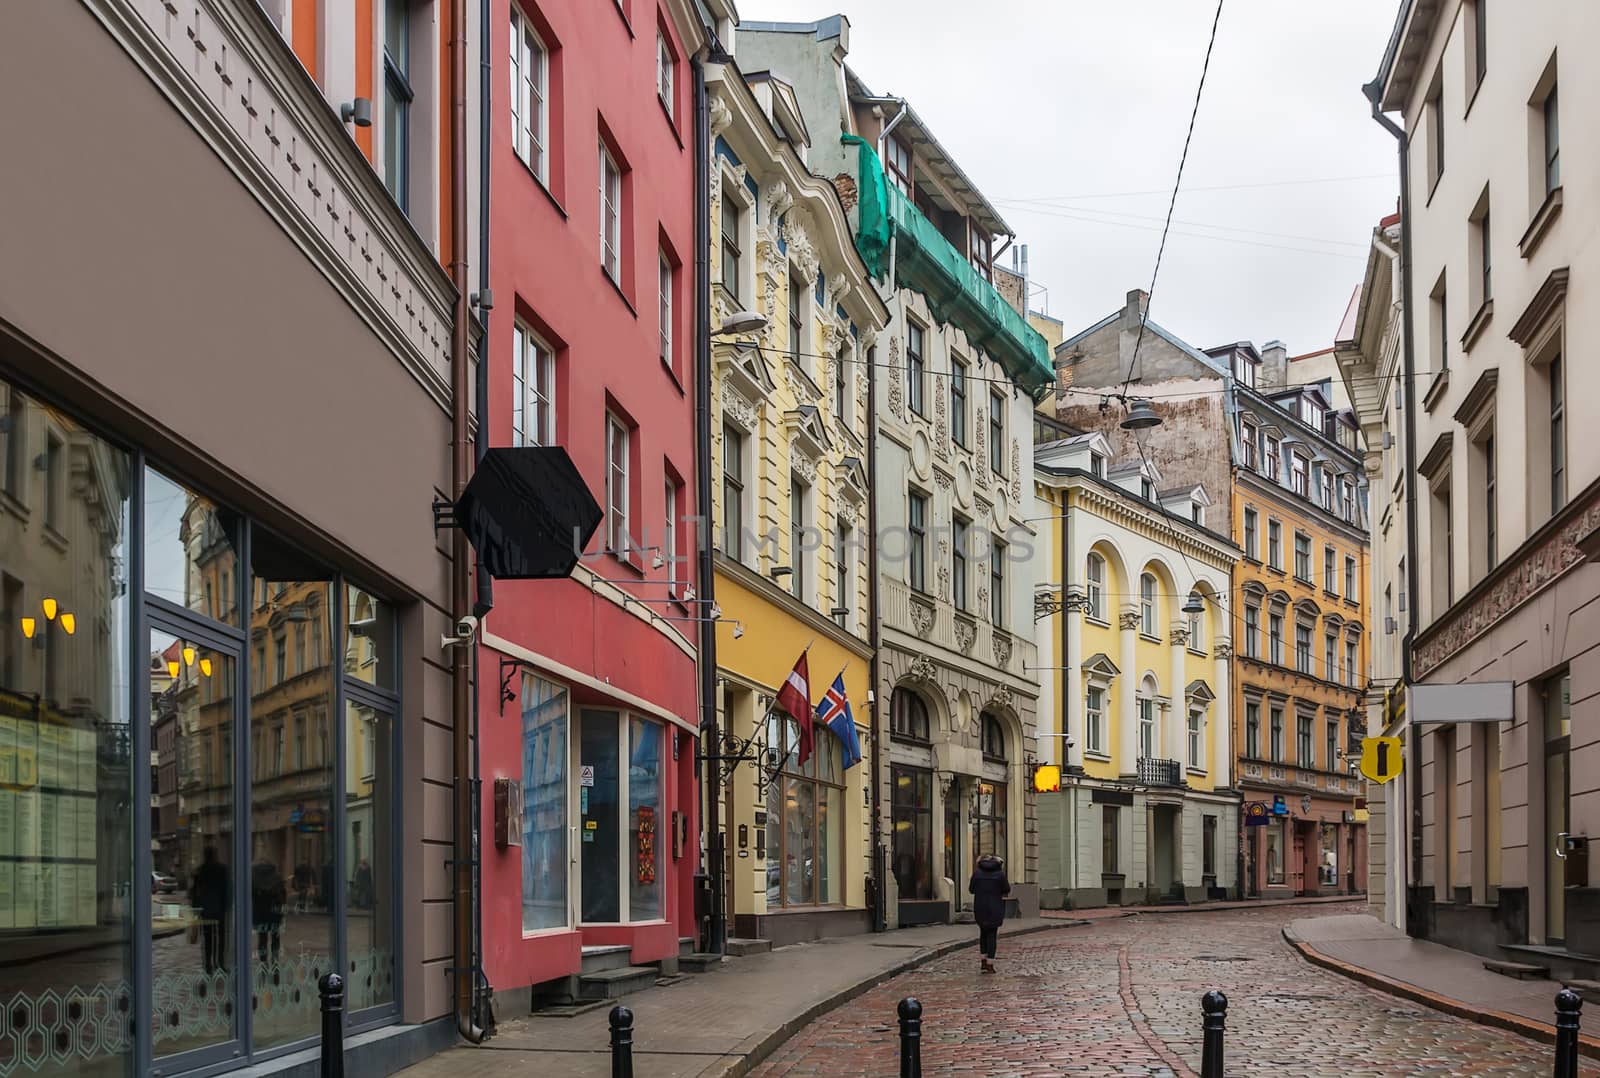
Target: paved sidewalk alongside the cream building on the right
x=1454 y=981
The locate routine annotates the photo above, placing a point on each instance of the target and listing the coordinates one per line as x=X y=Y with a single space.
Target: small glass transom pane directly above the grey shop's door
x=190 y=551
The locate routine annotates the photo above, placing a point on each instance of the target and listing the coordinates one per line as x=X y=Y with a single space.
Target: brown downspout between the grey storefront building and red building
x=460 y=578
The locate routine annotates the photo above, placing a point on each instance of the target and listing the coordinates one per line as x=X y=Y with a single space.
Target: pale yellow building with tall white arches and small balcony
x=1135 y=705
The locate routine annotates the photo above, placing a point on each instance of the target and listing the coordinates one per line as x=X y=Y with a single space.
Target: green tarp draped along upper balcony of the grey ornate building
x=956 y=293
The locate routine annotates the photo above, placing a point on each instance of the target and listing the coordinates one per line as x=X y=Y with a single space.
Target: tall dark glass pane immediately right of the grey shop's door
x=292 y=745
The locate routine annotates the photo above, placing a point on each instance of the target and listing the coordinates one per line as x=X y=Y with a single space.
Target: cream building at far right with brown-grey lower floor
x=1502 y=220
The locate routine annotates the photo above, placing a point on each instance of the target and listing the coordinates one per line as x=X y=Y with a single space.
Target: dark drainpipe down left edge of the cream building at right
x=1374 y=92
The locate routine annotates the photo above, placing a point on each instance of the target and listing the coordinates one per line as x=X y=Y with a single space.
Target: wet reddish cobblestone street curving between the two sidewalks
x=1122 y=997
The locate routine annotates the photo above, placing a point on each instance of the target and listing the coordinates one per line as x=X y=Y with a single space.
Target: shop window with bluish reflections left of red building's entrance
x=545 y=856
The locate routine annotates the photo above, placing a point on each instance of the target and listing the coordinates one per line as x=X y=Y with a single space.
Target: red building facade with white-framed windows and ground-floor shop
x=588 y=692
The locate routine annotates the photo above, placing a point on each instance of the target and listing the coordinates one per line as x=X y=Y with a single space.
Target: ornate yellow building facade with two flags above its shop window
x=791 y=519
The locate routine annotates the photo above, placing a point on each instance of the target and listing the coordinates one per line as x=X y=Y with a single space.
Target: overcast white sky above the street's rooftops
x=1052 y=106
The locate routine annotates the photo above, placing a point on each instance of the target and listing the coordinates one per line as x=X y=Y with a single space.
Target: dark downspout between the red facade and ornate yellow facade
x=711 y=740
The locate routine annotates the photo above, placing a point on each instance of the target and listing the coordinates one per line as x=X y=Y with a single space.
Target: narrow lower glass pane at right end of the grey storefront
x=369 y=847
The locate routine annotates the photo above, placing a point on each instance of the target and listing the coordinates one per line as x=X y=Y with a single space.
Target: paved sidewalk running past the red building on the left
x=714 y=1024
